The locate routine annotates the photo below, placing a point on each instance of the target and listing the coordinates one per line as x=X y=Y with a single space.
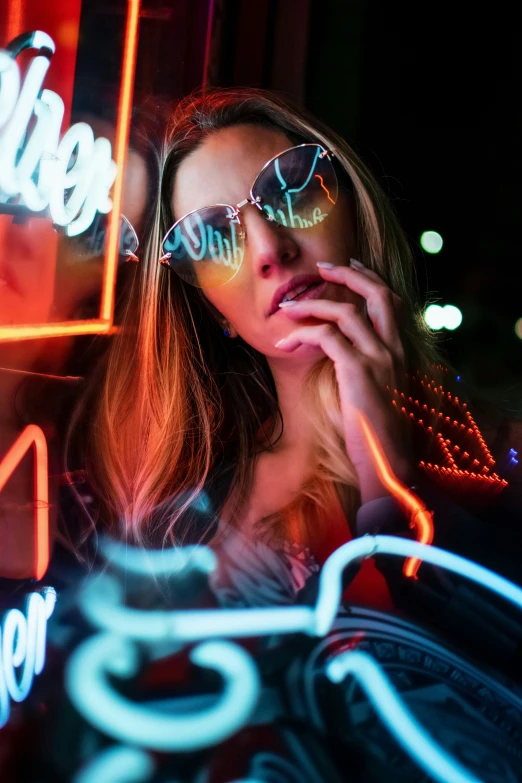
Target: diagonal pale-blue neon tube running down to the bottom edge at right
x=397 y=718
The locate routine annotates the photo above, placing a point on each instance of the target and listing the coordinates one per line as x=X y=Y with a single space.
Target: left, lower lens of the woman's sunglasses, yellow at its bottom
x=206 y=248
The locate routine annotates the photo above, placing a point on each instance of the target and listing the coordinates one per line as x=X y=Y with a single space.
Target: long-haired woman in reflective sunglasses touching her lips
x=229 y=408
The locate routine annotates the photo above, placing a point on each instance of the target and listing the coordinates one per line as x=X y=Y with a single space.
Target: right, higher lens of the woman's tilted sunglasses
x=299 y=188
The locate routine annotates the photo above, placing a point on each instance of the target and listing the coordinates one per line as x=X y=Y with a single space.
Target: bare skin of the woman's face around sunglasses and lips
x=221 y=171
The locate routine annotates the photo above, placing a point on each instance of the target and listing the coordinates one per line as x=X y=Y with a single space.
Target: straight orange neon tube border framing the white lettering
x=104 y=323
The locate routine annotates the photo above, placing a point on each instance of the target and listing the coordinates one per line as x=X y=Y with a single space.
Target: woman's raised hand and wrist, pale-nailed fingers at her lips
x=369 y=357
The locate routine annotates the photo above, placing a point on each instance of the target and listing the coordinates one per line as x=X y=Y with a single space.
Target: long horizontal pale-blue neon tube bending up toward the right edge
x=102 y=599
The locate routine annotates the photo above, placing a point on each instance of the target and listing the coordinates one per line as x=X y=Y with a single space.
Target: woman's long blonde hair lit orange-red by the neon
x=177 y=408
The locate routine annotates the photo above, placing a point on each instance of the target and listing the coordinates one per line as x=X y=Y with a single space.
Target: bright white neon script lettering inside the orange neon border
x=90 y=176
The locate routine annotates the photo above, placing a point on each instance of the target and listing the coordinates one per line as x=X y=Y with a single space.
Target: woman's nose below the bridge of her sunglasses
x=268 y=245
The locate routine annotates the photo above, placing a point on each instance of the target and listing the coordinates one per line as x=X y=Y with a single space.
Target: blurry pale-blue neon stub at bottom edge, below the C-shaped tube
x=118 y=765
